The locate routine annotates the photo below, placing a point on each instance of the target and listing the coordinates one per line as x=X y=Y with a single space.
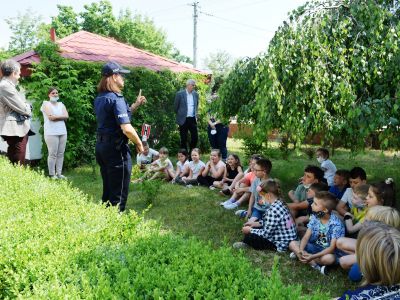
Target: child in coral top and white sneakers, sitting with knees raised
x=241 y=192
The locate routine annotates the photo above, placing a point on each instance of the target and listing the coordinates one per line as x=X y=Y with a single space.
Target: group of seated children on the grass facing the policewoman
x=335 y=217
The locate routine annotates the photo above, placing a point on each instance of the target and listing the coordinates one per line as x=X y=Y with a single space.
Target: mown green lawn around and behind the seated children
x=196 y=212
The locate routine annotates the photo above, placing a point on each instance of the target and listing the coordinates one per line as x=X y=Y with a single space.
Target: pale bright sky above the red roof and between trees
x=240 y=27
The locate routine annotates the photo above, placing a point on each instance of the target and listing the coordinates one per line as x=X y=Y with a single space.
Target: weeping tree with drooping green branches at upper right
x=332 y=69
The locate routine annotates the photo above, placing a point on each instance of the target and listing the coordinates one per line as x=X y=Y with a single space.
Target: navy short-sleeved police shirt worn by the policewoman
x=111 y=110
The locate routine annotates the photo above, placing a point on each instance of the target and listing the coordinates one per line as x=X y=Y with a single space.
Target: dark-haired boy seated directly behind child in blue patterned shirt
x=311 y=174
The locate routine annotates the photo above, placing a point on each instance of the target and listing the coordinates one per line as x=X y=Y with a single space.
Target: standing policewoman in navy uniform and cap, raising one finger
x=114 y=130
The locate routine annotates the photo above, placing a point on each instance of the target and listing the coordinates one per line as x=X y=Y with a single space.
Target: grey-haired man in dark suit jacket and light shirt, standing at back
x=186 y=109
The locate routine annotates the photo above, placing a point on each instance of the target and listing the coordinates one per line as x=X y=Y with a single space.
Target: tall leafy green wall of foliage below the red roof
x=77 y=83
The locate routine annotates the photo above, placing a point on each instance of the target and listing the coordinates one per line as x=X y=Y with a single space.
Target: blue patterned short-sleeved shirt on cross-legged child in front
x=334 y=230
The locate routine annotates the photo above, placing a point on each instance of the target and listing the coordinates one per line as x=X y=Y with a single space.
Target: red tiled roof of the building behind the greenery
x=86 y=46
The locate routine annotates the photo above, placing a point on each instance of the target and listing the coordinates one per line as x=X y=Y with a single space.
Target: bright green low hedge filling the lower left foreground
x=56 y=243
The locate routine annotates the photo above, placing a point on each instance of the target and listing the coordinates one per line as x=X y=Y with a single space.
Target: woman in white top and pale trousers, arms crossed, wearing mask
x=55 y=132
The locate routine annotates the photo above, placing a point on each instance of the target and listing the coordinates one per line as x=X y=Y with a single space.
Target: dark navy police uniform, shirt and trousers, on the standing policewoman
x=112 y=151
